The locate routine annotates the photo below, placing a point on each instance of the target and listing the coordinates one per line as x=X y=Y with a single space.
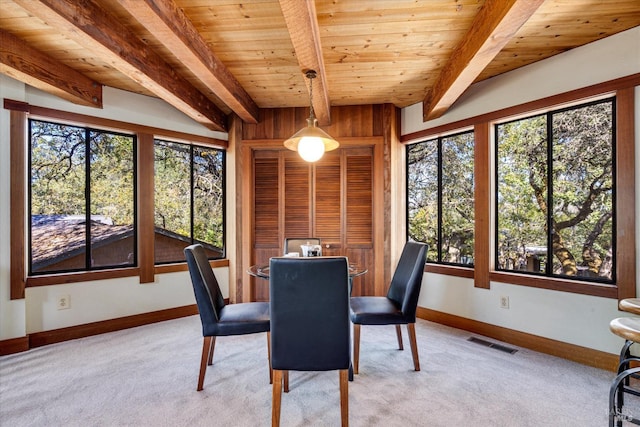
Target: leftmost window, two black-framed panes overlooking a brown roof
x=81 y=198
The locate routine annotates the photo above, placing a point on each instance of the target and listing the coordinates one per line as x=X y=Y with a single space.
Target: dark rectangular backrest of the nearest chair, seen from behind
x=309 y=306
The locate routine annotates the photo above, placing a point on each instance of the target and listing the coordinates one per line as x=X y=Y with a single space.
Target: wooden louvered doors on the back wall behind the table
x=331 y=199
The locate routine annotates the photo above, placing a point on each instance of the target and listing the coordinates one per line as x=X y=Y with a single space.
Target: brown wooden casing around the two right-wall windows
x=624 y=264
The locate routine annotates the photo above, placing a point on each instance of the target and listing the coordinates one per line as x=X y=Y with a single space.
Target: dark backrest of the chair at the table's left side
x=205 y=286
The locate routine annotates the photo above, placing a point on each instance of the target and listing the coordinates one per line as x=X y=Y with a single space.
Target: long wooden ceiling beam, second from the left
x=92 y=26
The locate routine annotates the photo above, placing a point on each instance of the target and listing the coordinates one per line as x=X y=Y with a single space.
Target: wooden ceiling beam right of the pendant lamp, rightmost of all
x=494 y=25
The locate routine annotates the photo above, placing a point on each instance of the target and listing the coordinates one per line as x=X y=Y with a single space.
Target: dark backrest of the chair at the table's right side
x=407 y=279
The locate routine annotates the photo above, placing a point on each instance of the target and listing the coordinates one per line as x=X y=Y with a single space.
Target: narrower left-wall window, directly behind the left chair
x=189 y=200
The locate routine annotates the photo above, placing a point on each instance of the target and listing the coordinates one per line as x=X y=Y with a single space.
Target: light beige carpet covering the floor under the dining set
x=147 y=376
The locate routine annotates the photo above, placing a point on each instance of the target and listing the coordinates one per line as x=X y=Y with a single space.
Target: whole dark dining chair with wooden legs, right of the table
x=398 y=307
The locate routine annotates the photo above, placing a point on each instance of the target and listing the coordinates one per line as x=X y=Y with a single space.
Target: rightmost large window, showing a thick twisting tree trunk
x=555 y=193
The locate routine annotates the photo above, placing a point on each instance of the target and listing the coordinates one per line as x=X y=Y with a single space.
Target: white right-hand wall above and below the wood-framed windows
x=577 y=319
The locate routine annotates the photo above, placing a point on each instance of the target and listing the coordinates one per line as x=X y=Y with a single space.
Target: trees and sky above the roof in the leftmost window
x=58 y=172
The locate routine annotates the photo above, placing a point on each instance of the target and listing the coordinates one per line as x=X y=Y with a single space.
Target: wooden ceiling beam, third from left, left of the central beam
x=176 y=32
